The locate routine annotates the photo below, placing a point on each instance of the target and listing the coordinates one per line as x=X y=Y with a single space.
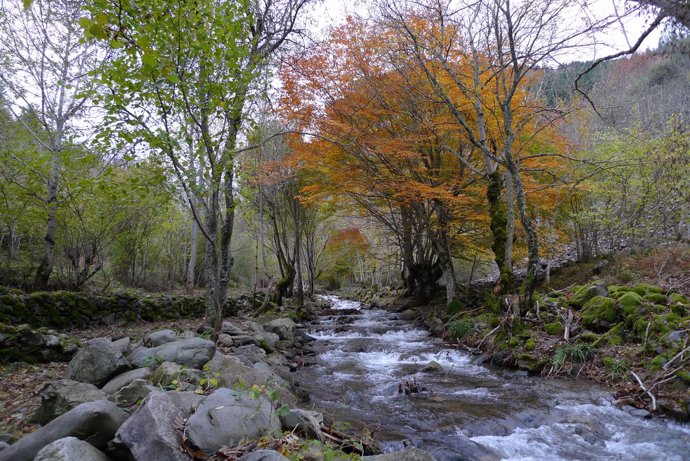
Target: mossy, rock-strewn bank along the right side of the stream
x=632 y=338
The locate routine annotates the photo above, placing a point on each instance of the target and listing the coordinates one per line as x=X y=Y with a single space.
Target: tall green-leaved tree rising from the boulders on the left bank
x=190 y=68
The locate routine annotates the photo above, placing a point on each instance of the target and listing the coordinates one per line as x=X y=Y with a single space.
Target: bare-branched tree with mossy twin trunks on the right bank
x=487 y=51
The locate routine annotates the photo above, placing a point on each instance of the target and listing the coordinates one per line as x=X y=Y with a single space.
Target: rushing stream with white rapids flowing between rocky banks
x=468 y=411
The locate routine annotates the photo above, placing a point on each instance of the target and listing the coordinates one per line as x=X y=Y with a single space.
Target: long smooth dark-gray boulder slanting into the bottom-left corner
x=93 y=422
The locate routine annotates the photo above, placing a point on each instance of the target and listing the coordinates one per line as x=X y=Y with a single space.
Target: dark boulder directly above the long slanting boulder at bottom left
x=61 y=396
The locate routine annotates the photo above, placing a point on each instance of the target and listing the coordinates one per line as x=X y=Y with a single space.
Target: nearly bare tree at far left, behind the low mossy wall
x=45 y=78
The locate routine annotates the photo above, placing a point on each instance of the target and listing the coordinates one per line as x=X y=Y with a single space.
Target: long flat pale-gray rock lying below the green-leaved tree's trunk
x=192 y=353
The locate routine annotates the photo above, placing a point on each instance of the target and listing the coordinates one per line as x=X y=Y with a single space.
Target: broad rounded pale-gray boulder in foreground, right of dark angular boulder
x=226 y=417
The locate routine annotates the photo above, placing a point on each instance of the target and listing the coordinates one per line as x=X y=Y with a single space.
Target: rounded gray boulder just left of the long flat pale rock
x=97 y=362
